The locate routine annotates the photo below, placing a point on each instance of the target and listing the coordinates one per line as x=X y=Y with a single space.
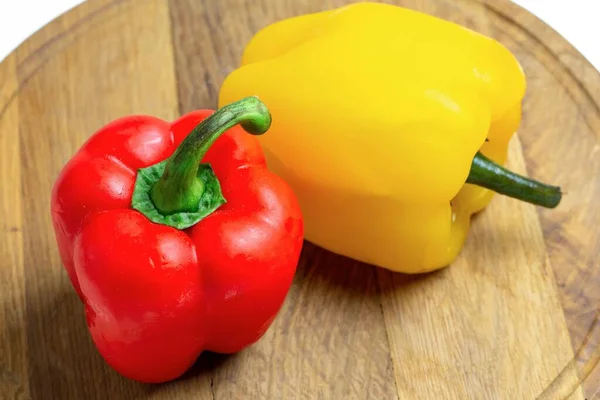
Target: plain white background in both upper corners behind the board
x=576 y=20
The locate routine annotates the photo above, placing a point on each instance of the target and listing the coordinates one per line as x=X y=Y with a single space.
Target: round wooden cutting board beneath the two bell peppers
x=500 y=323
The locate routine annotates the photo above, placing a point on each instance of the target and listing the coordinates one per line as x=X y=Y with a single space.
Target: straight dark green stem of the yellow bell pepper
x=486 y=173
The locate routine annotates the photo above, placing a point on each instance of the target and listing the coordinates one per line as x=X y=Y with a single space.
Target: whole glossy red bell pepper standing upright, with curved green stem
x=177 y=237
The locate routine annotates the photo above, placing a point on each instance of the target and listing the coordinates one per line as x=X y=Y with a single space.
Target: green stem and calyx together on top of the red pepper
x=180 y=191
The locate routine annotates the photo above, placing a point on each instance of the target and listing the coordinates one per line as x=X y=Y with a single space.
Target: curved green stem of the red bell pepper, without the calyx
x=179 y=189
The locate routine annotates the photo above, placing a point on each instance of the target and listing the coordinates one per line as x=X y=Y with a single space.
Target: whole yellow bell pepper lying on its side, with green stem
x=389 y=125
